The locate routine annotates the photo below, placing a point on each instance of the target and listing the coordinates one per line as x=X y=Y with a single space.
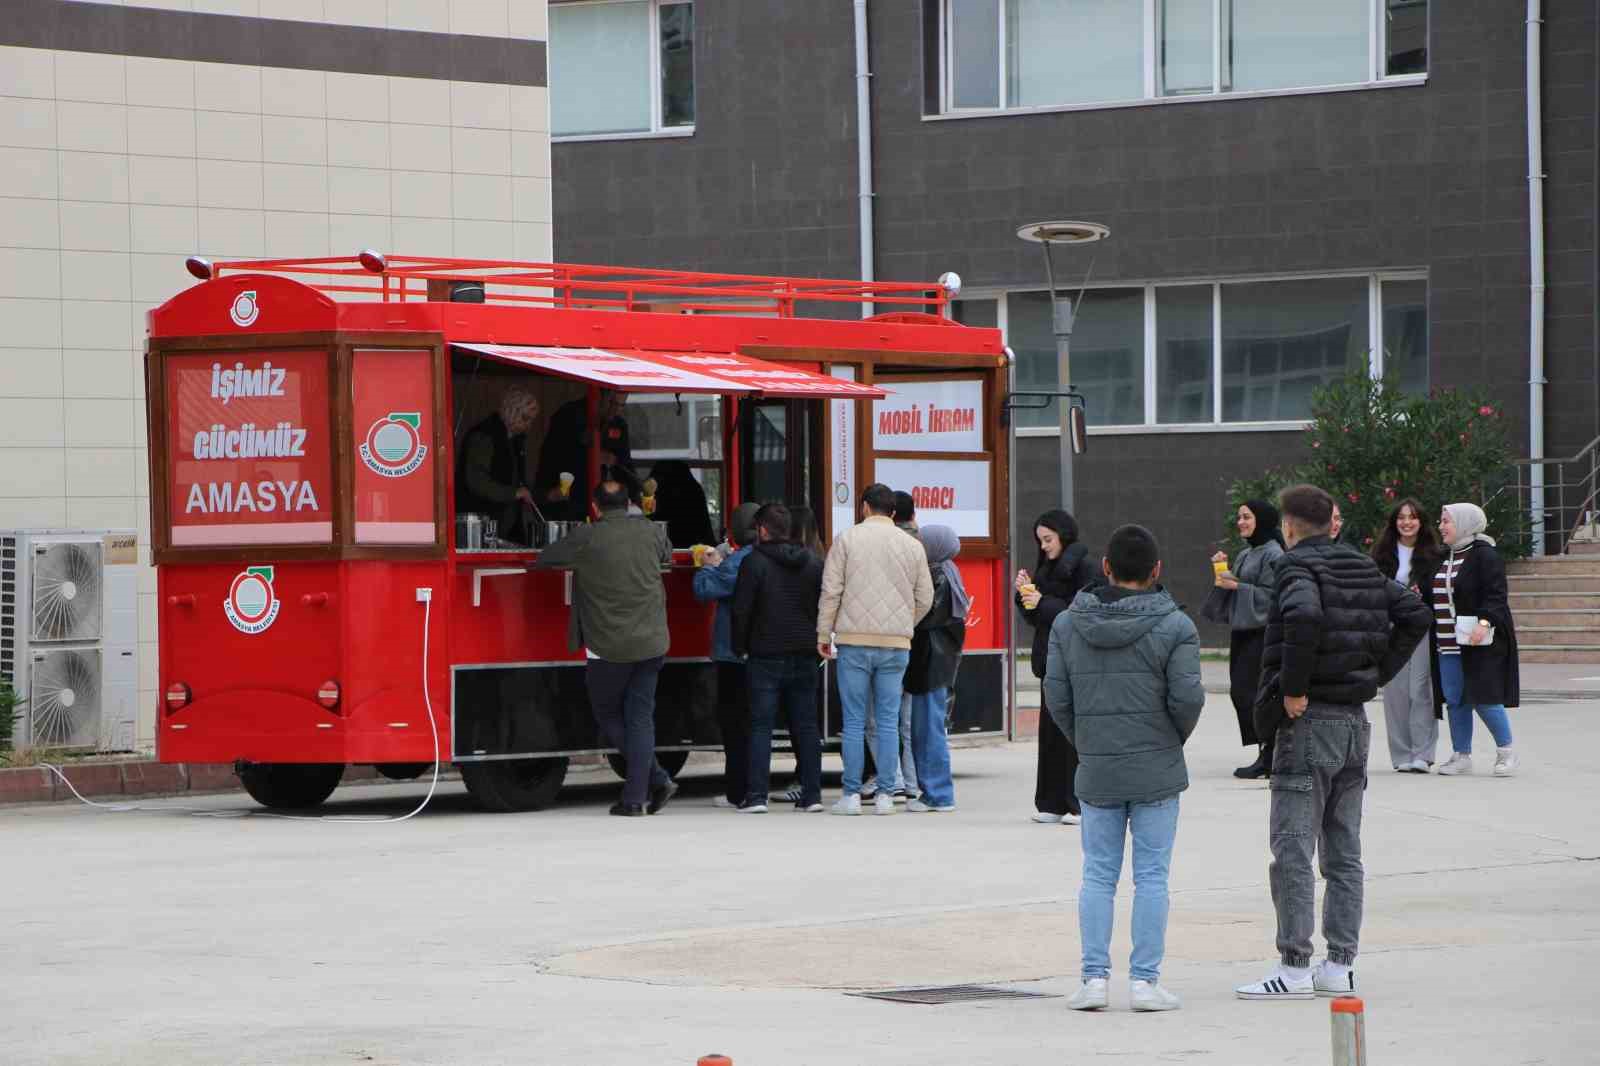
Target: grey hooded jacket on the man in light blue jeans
x=1124 y=686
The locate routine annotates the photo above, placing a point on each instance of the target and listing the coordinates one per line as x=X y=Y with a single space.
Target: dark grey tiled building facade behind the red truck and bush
x=1294 y=190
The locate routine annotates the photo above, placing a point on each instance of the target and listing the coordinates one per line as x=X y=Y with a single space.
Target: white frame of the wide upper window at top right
x=1377 y=68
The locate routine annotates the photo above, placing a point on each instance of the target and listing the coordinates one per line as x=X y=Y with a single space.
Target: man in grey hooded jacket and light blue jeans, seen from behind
x=1124 y=686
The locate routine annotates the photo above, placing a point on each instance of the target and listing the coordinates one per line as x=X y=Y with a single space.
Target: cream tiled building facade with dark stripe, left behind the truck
x=134 y=135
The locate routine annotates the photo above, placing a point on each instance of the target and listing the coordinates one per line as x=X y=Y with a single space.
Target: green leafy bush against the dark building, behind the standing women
x=1374 y=446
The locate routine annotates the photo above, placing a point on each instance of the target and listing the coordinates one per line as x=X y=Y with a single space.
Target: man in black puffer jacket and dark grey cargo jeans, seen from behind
x=1338 y=630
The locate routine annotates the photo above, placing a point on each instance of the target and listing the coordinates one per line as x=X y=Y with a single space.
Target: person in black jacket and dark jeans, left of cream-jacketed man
x=775 y=606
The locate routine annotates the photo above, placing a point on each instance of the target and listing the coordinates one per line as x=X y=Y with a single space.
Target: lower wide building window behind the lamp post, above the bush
x=1214 y=353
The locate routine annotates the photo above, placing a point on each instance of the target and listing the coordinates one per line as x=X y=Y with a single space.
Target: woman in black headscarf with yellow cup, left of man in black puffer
x=1241 y=596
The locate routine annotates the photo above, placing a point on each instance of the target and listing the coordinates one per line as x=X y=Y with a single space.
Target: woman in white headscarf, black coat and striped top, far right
x=1474 y=641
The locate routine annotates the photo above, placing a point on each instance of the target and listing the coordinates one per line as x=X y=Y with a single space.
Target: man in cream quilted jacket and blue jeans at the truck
x=876 y=588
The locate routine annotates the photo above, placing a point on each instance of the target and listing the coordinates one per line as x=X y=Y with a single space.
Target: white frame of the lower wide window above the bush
x=1375 y=311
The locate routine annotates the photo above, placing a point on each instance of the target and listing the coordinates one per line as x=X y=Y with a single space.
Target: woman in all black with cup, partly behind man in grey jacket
x=1062 y=572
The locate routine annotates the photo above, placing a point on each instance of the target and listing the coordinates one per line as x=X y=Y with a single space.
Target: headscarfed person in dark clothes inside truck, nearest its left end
x=492 y=478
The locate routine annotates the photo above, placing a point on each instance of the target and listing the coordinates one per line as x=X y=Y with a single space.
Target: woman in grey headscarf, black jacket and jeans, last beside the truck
x=935 y=657
